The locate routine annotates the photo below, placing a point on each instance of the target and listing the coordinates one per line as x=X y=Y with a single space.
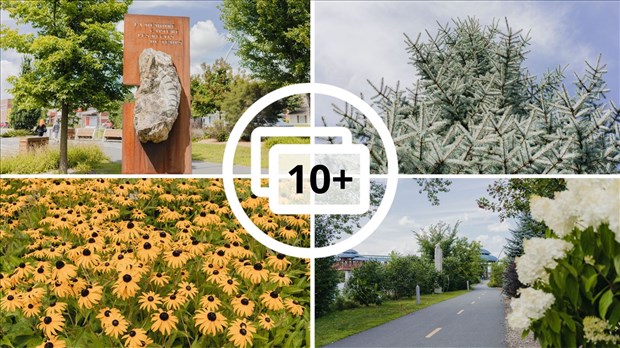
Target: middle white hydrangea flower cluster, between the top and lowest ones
x=539 y=255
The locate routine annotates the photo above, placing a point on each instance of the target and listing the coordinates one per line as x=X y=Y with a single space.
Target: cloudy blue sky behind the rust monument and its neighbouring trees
x=208 y=37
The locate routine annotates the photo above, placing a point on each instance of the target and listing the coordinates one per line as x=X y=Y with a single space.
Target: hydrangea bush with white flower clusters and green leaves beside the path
x=574 y=273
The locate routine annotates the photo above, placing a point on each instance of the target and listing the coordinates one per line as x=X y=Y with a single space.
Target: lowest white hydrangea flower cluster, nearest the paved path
x=531 y=306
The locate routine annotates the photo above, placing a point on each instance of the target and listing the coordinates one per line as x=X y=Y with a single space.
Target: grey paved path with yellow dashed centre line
x=475 y=319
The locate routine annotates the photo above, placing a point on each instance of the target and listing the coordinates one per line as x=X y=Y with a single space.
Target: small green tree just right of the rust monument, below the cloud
x=210 y=87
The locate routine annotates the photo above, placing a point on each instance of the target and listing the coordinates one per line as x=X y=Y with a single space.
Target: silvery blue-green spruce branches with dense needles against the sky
x=476 y=109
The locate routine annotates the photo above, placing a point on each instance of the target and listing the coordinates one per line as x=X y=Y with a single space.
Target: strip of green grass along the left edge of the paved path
x=340 y=324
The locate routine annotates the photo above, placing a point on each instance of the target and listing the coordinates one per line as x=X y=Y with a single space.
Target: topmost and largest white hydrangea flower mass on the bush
x=585 y=203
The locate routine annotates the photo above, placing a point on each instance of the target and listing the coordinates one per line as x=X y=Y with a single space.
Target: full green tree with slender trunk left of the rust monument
x=77 y=53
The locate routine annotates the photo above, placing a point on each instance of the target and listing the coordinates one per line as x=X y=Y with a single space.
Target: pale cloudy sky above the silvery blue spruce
x=356 y=41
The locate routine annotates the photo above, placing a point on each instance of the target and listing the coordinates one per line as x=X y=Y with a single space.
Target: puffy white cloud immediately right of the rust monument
x=204 y=41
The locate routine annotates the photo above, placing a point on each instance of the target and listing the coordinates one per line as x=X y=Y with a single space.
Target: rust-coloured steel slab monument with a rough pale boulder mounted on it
x=156 y=127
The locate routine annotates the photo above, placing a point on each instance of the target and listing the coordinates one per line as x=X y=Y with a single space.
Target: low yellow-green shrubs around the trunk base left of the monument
x=82 y=158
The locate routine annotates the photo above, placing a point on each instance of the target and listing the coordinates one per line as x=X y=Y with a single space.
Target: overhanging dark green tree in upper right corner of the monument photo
x=273 y=38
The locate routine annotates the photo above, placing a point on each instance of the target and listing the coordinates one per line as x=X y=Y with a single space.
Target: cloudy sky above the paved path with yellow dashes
x=412 y=211
